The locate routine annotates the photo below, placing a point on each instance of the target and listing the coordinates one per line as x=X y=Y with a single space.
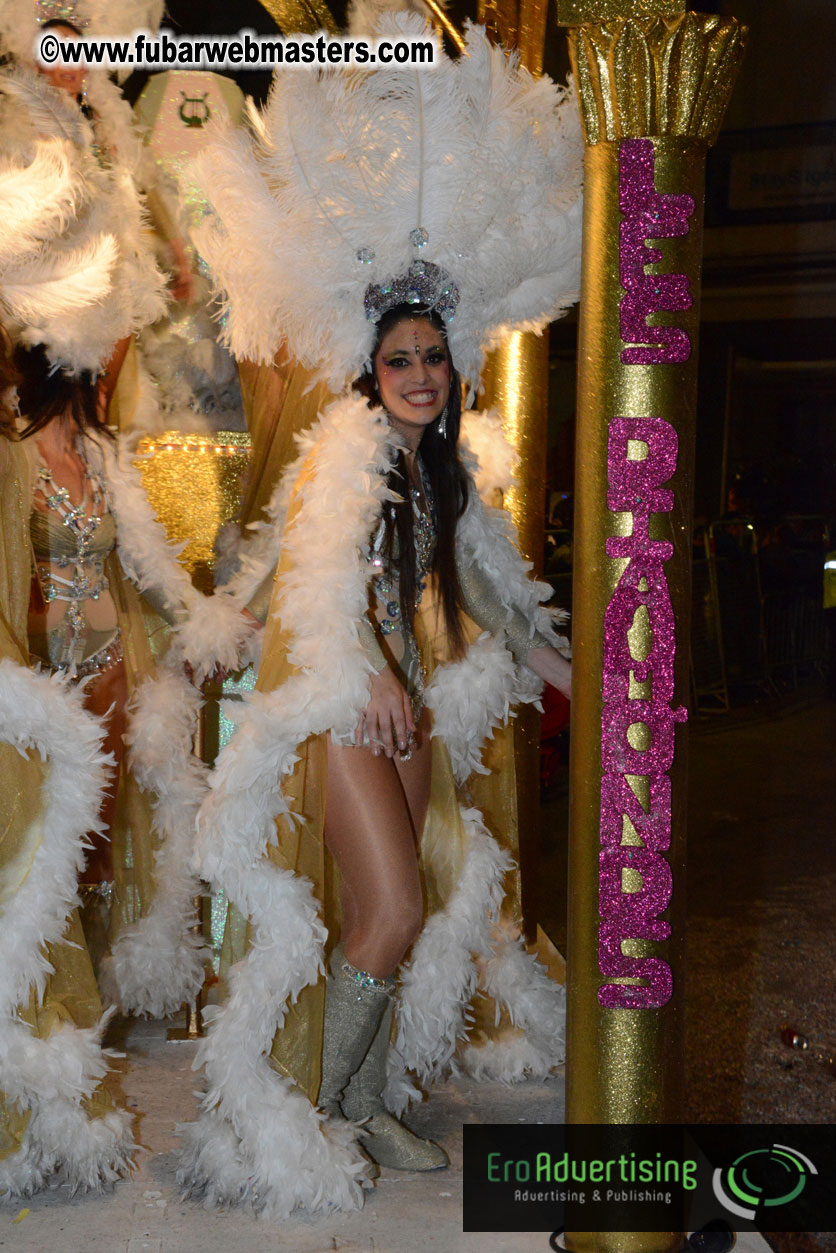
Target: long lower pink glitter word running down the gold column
x=636 y=488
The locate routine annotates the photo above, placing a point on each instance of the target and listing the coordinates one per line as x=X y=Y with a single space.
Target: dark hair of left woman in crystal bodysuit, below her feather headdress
x=44 y=394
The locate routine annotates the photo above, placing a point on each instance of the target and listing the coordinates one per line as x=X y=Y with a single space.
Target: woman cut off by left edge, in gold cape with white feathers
x=58 y=1121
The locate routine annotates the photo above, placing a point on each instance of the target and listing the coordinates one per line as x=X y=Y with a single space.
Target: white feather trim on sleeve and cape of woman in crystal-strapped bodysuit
x=159 y=964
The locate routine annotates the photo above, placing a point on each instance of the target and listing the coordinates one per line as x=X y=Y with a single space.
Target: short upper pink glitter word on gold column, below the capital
x=650 y=215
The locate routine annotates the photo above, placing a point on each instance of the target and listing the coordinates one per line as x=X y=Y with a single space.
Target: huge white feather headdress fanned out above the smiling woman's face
x=344 y=166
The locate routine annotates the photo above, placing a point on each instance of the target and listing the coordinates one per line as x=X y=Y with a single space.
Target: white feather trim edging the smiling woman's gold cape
x=250 y=1115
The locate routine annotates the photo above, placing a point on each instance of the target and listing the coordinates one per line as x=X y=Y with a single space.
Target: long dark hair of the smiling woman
x=448 y=483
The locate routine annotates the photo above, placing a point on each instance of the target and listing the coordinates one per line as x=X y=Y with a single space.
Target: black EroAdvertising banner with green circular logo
x=650 y=1178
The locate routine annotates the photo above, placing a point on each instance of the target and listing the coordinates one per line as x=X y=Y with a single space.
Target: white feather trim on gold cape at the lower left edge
x=52 y=1077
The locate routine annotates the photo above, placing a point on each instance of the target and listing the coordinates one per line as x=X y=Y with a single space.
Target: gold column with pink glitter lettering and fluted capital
x=654 y=83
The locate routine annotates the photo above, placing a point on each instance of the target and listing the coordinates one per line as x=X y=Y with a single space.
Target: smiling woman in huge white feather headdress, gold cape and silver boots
x=387 y=227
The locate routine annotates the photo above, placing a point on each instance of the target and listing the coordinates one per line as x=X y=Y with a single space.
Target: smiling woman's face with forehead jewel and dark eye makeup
x=413 y=372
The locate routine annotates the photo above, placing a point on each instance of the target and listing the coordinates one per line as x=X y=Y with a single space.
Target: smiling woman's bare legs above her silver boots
x=370 y=830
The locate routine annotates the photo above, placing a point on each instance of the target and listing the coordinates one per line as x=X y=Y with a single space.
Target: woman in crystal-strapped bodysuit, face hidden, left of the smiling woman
x=98 y=547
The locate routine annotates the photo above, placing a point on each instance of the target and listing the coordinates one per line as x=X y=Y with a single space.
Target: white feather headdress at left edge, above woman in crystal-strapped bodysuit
x=76 y=271
